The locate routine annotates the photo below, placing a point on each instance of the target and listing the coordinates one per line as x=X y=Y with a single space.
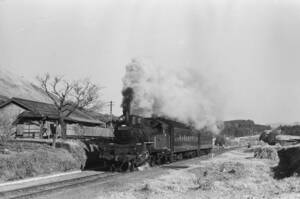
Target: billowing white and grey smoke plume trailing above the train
x=183 y=95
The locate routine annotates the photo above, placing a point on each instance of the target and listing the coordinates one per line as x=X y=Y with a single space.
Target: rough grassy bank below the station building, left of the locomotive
x=29 y=163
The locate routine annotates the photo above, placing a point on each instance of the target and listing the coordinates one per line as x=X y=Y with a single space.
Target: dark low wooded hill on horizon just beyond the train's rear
x=240 y=128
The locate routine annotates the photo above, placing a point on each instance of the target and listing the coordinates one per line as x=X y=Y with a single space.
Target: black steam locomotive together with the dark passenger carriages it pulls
x=153 y=140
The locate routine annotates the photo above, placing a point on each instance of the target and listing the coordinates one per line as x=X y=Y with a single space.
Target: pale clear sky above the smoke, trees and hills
x=248 y=47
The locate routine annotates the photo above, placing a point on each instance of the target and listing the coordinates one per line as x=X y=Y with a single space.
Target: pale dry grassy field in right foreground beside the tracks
x=233 y=175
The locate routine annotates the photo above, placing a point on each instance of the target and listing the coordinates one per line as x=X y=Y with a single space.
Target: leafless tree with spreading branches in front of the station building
x=68 y=96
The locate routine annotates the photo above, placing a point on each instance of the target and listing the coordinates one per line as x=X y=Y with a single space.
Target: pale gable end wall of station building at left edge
x=8 y=115
